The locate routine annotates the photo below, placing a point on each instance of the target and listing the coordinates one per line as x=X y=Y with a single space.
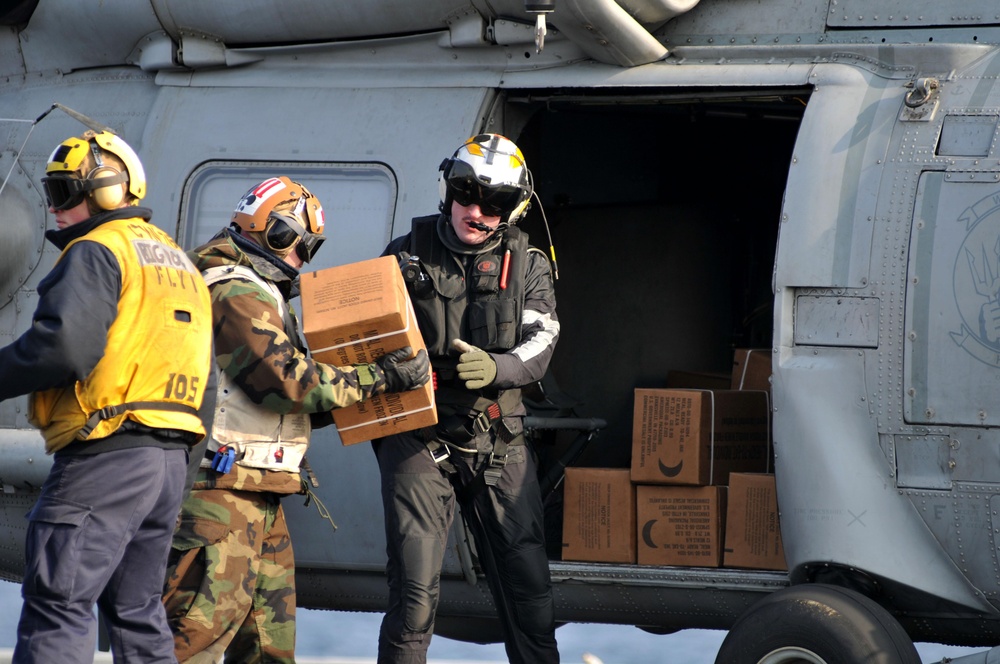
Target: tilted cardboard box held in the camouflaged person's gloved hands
x=354 y=314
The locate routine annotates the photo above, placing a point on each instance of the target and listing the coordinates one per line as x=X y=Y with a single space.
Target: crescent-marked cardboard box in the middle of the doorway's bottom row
x=680 y=525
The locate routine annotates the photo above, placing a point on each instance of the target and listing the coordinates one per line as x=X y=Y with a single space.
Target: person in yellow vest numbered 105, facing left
x=117 y=363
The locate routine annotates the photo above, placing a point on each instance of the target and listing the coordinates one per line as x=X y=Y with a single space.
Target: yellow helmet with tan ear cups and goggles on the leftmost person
x=98 y=167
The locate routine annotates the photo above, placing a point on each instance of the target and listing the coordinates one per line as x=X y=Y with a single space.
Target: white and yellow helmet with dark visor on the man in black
x=488 y=170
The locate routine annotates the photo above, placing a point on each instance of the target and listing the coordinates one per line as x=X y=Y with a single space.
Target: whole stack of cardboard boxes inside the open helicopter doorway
x=698 y=493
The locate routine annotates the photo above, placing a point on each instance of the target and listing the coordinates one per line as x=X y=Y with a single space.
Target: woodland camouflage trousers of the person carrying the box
x=230 y=586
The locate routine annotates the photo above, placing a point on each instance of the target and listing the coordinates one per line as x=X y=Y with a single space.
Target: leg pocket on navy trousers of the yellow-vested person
x=52 y=547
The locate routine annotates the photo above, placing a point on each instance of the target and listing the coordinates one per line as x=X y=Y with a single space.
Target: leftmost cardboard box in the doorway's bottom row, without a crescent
x=598 y=515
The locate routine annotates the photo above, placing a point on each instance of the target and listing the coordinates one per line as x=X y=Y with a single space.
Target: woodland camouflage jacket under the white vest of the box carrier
x=262 y=352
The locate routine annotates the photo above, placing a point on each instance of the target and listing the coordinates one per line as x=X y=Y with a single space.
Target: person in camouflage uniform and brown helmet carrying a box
x=230 y=586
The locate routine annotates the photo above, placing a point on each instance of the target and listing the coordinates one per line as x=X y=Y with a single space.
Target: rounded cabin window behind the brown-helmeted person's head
x=358 y=201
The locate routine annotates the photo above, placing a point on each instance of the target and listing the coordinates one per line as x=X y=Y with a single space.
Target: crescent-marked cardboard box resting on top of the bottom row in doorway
x=698 y=436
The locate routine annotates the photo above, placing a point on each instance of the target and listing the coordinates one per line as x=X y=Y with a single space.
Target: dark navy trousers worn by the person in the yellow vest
x=100 y=533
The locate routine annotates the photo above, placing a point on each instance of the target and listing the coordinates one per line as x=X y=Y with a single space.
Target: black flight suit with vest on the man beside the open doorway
x=459 y=295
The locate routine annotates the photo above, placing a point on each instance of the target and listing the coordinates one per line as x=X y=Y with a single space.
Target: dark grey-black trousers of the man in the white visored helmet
x=507 y=525
